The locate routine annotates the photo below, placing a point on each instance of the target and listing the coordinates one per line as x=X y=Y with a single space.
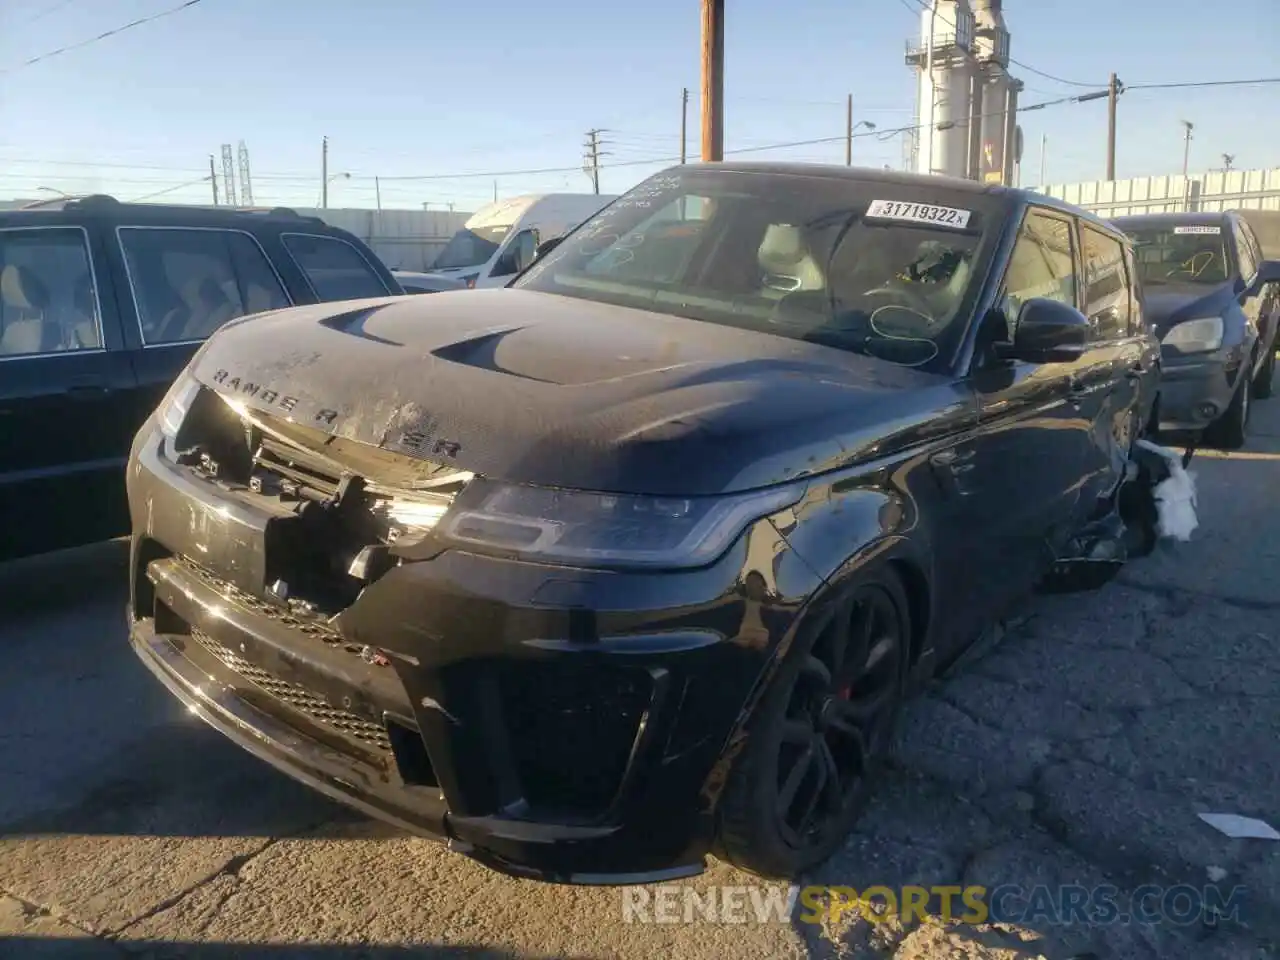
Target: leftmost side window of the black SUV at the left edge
x=48 y=301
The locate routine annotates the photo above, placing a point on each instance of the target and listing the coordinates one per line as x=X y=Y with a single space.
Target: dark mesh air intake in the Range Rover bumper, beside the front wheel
x=573 y=729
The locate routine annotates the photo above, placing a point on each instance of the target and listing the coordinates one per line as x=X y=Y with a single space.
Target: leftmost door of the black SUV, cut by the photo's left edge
x=65 y=383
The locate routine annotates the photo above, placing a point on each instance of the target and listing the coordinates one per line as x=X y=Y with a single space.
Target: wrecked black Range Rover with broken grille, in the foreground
x=636 y=559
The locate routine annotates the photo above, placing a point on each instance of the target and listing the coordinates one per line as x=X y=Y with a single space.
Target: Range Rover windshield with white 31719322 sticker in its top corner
x=883 y=269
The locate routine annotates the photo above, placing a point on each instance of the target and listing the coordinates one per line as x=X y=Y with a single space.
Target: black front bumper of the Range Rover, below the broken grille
x=552 y=724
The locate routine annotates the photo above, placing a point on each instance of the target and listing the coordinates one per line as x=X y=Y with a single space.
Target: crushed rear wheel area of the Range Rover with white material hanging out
x=1154 y=501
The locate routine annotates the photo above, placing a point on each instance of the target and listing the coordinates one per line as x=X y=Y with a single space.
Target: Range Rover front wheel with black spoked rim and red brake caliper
x=801 y=733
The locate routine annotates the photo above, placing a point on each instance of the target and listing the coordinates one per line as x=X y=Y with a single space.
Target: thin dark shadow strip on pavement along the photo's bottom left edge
x=89 y=949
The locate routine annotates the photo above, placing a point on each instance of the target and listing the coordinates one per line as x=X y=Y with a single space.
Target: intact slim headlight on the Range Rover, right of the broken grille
x=611 y=531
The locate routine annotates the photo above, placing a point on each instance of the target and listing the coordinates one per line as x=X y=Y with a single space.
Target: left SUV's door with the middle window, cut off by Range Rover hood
x=185 y=284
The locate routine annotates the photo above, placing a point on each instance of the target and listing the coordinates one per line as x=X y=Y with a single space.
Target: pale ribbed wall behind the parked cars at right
x=1233 y=190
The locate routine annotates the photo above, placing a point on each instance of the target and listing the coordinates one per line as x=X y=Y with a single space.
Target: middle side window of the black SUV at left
x=188 y=284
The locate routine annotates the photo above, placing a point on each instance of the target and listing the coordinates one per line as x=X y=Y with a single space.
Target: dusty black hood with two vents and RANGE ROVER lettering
x=565 y=392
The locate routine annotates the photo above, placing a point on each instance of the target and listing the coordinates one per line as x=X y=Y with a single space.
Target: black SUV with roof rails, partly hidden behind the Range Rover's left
x=102 y=305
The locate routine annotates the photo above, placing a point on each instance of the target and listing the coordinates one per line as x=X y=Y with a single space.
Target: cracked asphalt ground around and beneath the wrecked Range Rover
x=1076 y=747
